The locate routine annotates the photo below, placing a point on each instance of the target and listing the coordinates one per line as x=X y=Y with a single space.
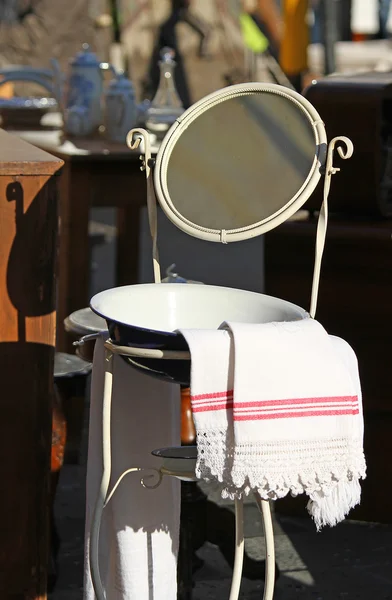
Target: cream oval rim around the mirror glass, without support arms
x=292 y=205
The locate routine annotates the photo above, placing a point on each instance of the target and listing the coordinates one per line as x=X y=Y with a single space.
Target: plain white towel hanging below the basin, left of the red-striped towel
x=140 y=527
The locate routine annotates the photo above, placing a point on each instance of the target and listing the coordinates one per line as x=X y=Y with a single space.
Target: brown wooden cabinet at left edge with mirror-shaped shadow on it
x=28 y=232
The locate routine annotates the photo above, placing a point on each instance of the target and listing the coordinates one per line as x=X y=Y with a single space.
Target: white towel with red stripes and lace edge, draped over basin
x=280 y=414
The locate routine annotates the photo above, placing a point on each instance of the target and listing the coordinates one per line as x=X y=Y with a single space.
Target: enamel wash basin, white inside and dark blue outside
x=149 y=315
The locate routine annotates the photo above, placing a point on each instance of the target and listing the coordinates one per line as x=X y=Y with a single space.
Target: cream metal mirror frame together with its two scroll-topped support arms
x=323 y=160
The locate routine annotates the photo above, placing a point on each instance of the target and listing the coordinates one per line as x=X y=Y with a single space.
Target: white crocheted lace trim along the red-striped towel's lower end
x=275 y=469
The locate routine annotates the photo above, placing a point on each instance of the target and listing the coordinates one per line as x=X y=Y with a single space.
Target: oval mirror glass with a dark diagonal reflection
x=241 y=161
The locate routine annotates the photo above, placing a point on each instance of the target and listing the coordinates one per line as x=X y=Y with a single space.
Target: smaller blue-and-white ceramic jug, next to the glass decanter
x=121 y=109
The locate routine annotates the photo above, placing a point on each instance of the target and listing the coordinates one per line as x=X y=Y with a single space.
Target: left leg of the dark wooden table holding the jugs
x=74 y=250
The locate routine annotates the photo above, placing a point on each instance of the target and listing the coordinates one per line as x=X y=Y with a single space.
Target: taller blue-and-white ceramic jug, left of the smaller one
x=85 y=87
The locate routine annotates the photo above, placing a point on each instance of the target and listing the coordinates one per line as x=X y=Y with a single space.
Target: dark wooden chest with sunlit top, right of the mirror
x=360 y=106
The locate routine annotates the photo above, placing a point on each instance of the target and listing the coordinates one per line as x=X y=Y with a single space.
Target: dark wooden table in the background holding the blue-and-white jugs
x=100 y=174
